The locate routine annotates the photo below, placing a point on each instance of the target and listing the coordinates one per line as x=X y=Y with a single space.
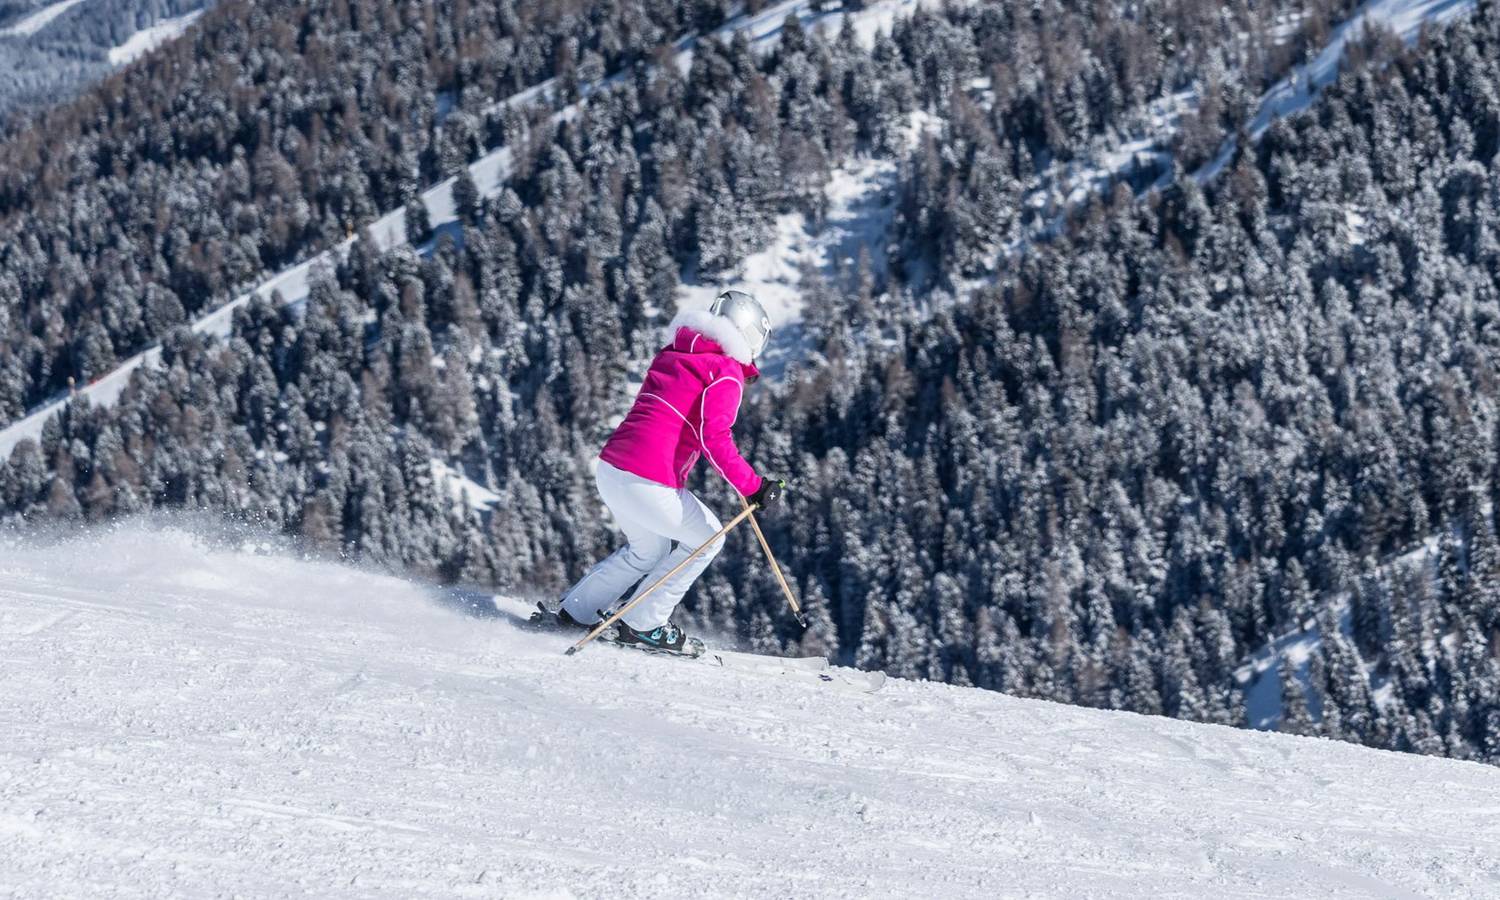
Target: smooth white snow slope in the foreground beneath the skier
x=185 y=721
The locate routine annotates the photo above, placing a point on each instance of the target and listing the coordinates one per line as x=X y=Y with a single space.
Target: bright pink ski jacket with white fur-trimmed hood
x=688 y=406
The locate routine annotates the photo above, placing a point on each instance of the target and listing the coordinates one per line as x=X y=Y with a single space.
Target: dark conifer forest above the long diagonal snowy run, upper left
x=271 y=131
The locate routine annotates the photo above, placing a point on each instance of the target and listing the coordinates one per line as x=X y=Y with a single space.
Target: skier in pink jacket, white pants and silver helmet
x=683 y=410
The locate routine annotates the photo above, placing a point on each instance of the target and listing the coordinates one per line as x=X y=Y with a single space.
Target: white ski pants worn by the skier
x=653 y=517
